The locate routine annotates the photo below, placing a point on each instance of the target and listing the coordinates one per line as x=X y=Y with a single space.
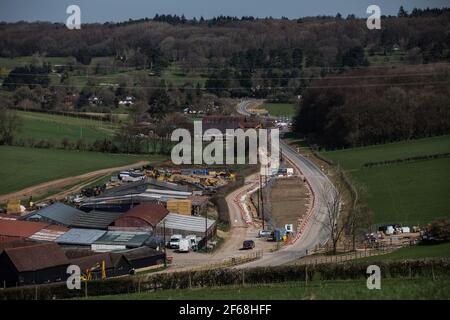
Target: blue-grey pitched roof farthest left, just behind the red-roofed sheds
x=57 y=212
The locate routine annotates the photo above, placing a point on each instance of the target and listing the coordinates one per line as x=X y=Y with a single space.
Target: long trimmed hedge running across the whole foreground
x=221 y=277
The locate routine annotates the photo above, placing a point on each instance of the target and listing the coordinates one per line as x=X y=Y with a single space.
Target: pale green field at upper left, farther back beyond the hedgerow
x=42 y=126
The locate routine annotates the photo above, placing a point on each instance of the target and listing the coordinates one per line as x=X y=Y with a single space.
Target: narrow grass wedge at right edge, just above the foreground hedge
x=414 y=252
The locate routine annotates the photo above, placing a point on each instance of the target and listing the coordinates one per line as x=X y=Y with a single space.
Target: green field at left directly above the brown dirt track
x=23 y=167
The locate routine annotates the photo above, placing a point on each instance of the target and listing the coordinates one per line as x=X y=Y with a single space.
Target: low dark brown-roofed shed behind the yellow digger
x=115 y=264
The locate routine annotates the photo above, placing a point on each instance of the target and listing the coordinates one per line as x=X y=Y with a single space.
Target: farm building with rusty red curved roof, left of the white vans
x=145 y=216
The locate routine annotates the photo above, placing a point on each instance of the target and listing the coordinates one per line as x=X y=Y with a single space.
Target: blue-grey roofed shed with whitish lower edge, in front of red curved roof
x=119 y=240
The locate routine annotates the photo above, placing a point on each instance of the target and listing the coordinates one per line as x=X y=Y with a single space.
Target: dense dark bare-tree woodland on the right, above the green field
x=373 y=106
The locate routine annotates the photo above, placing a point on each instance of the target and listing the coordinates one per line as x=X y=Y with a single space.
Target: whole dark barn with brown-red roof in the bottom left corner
x=35 y=264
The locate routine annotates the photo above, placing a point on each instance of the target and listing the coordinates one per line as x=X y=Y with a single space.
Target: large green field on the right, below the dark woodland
x=413 y=193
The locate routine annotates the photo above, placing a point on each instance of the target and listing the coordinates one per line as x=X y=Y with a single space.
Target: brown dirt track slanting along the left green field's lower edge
x=78 y=182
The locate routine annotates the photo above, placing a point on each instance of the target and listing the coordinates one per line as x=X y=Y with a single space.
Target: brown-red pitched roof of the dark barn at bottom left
x=36 y=257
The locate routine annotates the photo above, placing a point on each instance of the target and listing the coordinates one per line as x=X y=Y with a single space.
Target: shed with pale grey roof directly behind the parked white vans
x=186 y=225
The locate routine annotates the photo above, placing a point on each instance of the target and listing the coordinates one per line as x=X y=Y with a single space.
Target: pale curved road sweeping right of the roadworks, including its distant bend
x=315 y=231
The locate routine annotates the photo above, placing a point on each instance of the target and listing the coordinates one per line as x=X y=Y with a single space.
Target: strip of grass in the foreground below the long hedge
x=420 y=288
